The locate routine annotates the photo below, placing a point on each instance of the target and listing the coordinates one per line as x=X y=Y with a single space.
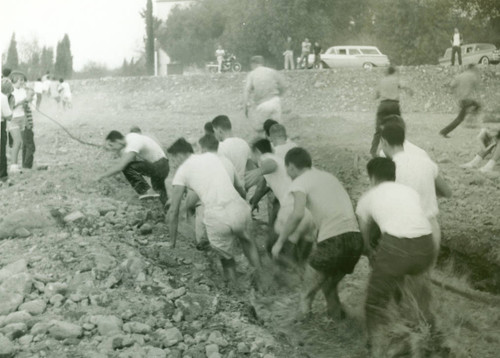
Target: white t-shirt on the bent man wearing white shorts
x=207 y=177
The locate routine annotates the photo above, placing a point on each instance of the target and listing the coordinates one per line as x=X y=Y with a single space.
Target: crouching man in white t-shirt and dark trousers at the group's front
x=140 y=156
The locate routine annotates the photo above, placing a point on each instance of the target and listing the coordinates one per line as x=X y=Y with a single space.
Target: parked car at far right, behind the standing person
x=483 y=54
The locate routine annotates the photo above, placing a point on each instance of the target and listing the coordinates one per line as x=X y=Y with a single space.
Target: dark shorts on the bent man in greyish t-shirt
x=337 y=254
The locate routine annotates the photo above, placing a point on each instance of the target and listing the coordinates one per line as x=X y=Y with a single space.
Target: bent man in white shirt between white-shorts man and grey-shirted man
x=272 y=170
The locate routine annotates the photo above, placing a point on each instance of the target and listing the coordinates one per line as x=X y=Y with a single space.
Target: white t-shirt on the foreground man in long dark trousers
x=396 y=209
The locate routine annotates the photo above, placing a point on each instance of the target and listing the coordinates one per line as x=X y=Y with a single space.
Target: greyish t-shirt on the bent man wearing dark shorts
x=328 y=203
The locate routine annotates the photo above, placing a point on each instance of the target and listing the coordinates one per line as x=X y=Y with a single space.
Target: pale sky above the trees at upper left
x=104 y=31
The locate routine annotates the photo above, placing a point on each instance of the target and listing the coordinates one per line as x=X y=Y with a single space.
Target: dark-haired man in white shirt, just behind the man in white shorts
x=233 y=148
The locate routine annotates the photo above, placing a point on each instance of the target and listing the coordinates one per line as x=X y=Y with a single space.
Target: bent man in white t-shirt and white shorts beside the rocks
x=227 y=215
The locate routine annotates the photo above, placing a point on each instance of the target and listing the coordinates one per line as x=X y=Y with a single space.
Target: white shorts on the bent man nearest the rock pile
x=225 y=224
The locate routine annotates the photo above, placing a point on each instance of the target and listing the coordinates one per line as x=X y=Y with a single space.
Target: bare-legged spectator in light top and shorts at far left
x=18 y=122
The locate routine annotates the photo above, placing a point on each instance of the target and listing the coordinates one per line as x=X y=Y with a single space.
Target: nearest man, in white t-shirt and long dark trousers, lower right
x=406 y=247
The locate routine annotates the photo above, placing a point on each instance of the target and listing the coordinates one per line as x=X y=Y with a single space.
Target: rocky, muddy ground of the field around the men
x=108 y=284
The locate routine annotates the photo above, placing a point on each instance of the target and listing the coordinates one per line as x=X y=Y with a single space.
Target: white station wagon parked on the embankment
x=352 y=56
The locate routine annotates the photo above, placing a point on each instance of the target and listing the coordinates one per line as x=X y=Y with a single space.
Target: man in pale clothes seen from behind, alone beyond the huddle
x=265 y=86
